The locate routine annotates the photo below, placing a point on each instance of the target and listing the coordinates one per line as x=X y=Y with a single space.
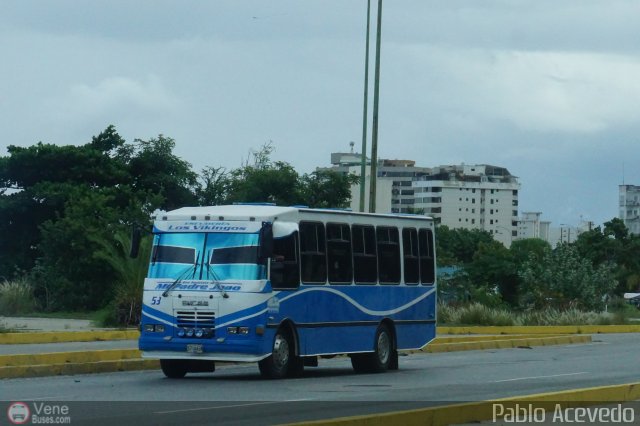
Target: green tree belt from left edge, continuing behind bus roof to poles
x=62 y=204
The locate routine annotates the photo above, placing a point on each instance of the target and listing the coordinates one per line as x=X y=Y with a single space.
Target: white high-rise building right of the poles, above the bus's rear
x=471 y=196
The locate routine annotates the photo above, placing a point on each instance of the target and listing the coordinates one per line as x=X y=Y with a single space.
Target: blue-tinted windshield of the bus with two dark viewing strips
x=206 y=256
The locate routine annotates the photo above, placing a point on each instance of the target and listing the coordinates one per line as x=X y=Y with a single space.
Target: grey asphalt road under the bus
x=237 y=395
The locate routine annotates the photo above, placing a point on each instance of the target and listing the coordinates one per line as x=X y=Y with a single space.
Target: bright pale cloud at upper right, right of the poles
x=538 y=91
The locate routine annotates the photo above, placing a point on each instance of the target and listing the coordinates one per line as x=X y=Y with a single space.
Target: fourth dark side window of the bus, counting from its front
x=365 y=263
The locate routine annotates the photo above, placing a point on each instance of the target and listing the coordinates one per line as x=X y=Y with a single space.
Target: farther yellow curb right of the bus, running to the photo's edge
x=543 y=329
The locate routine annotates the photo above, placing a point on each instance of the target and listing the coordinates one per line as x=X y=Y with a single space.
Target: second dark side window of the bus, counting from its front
x=313 y=252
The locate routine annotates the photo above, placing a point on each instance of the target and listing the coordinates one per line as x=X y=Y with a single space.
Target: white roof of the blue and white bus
x=264 y=212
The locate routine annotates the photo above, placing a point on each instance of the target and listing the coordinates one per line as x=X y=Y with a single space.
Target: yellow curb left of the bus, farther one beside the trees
x=67 y=336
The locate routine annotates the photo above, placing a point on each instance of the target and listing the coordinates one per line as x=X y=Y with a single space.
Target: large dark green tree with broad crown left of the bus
x=55 y=199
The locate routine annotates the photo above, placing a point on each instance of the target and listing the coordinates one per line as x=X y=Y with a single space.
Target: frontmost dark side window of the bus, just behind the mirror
x=285 y=271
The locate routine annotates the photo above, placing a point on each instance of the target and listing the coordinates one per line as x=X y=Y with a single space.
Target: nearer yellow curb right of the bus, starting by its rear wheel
x=505 y=343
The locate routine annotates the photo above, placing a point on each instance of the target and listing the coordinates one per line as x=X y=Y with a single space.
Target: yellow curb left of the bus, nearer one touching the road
x=21 y=371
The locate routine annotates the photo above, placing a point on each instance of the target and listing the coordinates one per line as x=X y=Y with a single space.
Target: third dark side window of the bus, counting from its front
x=339 y=253
